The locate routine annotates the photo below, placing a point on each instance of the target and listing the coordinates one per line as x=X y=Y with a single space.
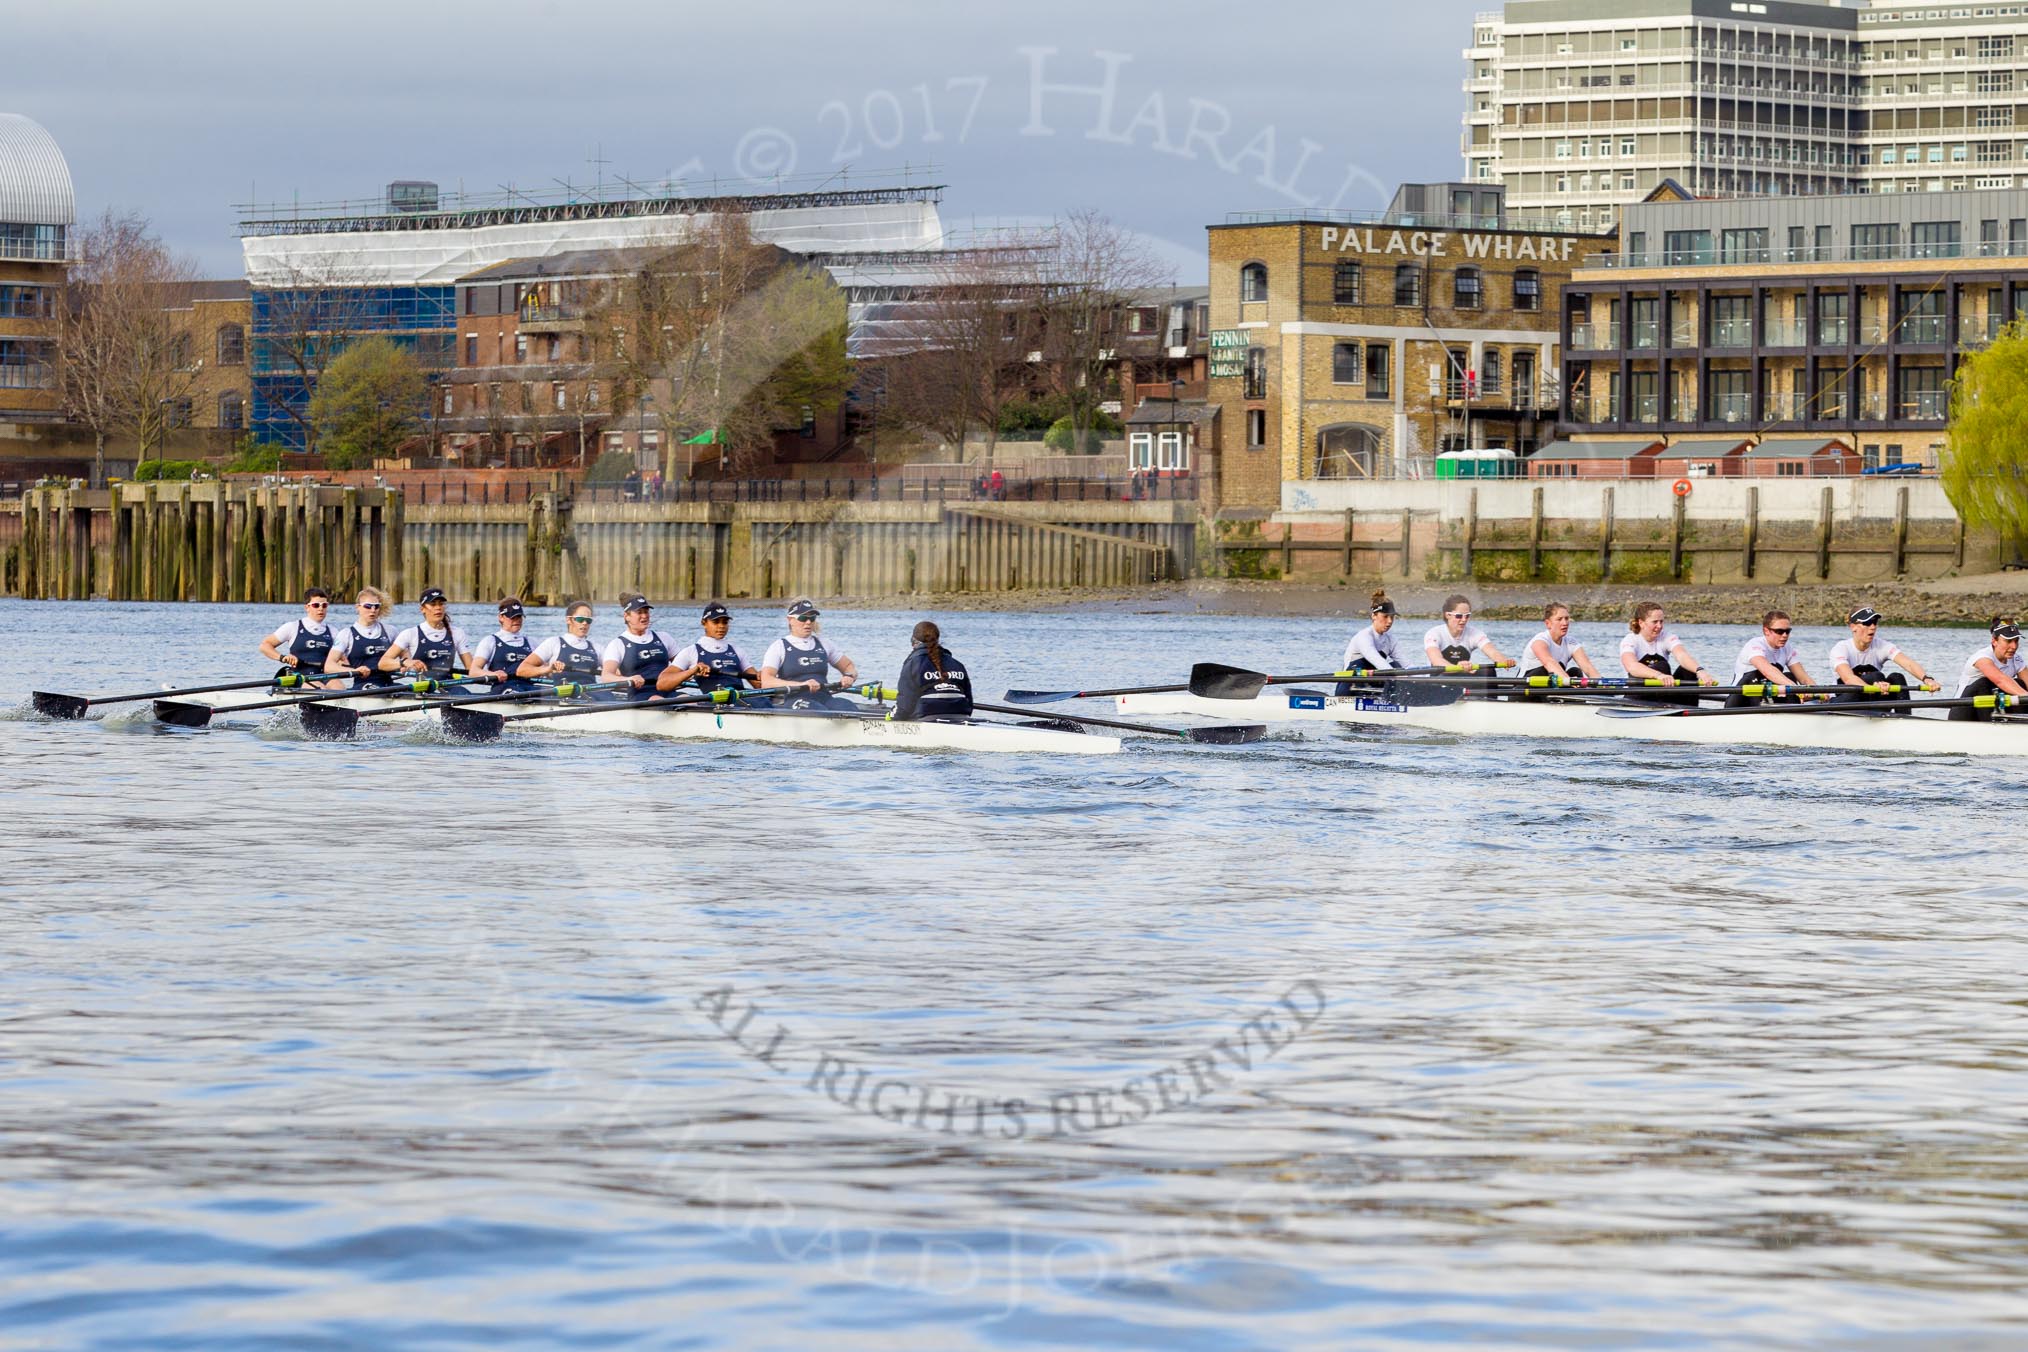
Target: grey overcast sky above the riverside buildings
x=1161 y=117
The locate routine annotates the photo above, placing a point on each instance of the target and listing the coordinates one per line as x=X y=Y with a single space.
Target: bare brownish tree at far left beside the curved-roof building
x=127 y=360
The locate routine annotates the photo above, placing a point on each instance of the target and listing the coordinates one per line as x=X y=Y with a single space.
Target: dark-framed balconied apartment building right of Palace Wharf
x=1826 y=317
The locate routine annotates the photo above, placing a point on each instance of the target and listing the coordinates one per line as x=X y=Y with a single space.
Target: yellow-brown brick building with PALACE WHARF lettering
x=1346 y=350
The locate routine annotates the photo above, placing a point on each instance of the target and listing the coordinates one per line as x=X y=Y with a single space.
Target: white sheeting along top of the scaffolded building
x=443 y=256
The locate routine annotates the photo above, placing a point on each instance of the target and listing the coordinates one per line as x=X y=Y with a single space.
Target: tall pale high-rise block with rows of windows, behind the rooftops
x=1585 y=106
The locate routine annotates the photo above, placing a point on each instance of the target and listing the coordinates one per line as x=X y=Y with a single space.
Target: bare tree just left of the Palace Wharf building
x=1082 y=291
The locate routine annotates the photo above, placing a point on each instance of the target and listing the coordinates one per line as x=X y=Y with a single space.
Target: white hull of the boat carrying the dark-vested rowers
x=719 y=725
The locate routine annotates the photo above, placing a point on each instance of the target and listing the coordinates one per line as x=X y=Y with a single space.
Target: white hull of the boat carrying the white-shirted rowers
x=1922 y=735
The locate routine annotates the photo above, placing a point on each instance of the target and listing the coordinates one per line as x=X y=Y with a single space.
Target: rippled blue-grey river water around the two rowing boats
x=1366 y=1039
